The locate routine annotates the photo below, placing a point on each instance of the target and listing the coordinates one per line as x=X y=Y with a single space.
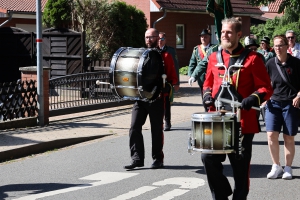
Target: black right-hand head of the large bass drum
x=152 y=71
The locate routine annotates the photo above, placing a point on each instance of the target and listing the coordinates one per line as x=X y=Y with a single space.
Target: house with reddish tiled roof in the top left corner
x=21 y=14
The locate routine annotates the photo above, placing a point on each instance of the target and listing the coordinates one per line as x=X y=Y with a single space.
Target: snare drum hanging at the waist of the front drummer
x=213 y=132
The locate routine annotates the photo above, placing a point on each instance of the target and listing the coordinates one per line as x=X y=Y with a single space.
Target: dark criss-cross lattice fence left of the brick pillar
x=18 y=100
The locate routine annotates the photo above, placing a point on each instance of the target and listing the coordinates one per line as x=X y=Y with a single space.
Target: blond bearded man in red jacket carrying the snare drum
x=253 y=84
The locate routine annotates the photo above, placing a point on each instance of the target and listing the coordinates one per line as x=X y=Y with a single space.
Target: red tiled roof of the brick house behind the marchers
x=238 y=6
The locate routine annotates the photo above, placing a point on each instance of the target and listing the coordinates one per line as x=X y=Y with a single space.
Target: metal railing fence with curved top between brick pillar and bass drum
x=79 y=92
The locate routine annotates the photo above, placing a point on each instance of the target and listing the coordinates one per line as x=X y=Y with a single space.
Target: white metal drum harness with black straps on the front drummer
x=227 y=85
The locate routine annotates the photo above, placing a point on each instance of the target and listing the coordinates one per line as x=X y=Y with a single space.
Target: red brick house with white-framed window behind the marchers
x=183 y=20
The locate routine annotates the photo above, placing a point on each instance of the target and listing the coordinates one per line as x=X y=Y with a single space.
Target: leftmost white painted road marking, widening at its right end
x=101 y=177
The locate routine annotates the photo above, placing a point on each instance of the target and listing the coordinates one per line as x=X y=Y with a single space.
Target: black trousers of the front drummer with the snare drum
x=218 y=183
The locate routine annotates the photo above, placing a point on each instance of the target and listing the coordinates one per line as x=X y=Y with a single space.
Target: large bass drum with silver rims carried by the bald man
x=136 y=73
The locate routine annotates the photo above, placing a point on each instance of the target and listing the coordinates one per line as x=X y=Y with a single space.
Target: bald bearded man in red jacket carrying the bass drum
x=155 y=110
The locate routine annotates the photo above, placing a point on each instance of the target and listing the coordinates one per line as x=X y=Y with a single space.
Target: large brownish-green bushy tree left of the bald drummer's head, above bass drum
x=108 y=26
